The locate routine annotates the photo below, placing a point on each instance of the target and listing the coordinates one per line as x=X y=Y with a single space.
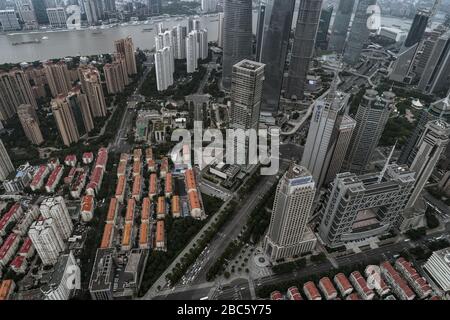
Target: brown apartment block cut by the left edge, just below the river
x=15 y=89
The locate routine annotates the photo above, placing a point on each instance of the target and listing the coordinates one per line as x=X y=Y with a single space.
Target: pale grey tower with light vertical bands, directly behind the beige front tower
x=323 y=133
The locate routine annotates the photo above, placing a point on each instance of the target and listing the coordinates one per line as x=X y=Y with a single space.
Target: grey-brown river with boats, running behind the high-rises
x=62 y=43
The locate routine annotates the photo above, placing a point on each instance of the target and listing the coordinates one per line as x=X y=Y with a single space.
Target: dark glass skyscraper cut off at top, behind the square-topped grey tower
x=237 y=36
